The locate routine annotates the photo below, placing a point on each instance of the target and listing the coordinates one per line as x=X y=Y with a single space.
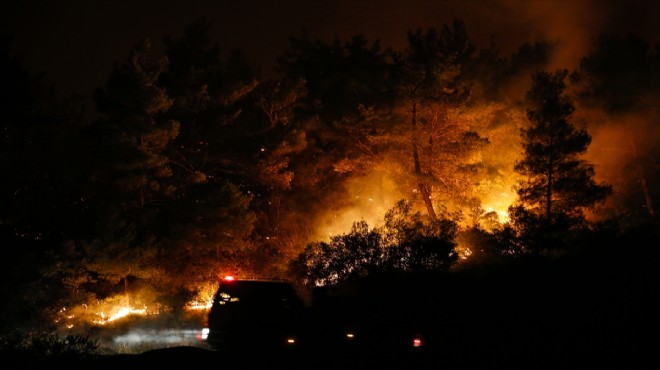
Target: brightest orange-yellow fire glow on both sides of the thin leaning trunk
x=371 y=195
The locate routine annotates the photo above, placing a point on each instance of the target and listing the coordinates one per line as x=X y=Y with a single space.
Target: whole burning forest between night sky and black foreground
x=352 y=159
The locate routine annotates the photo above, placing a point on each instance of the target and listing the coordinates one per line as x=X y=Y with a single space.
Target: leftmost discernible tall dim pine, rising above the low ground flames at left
x=132 y=177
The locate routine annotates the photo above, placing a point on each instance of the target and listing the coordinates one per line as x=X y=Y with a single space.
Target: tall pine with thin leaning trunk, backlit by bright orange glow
x=429 y=90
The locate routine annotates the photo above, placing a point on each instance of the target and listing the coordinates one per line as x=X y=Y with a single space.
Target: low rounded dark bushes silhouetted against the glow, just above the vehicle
x=405 y=243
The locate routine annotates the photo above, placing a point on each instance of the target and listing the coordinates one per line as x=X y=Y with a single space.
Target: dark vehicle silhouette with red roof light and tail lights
x=261 y=314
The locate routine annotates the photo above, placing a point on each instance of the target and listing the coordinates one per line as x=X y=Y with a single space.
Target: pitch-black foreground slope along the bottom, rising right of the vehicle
x=564 y=317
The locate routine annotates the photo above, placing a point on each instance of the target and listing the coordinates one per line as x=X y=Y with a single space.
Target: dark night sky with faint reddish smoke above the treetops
x=76 y=42
